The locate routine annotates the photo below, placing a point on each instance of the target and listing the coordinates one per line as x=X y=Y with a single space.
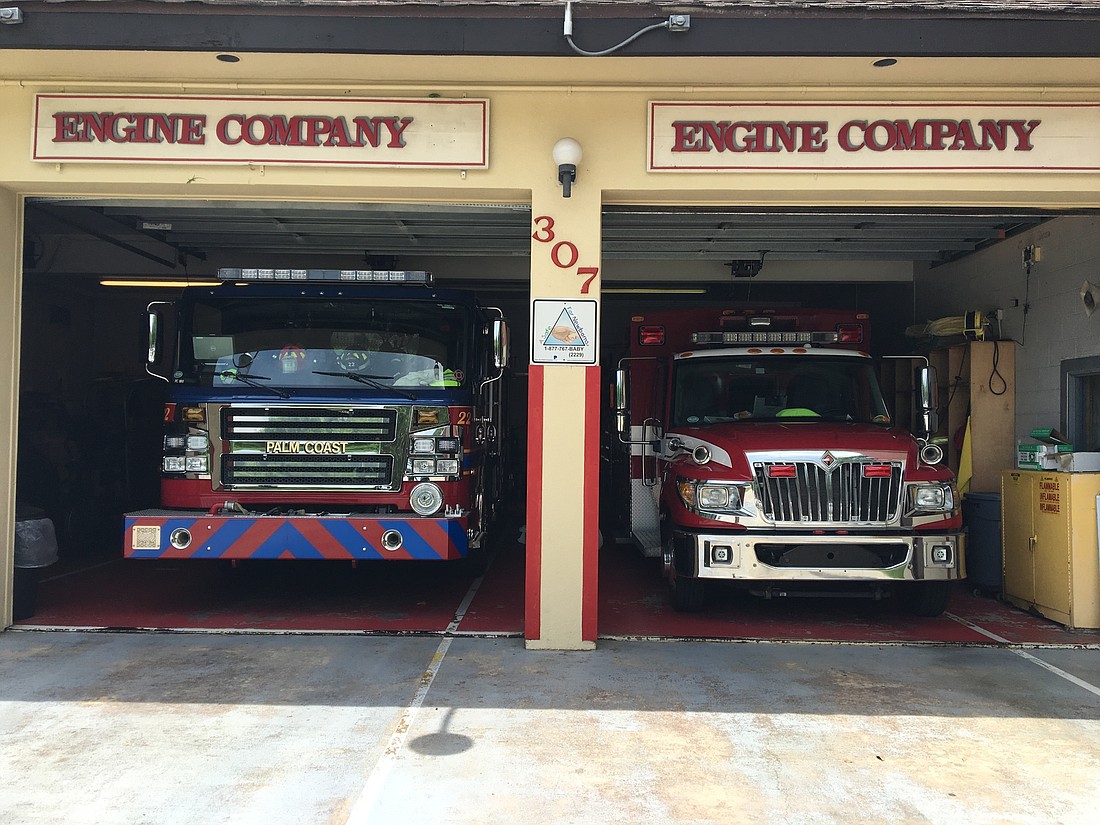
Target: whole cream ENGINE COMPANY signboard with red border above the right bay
x=873 y=137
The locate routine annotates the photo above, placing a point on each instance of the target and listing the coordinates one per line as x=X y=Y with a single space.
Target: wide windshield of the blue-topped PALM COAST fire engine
x=303 y=343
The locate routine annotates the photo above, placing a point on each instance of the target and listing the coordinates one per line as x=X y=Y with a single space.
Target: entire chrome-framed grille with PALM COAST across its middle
x=309 y=447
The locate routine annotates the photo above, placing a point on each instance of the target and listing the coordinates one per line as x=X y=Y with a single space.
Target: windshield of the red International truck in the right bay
x=746 y=389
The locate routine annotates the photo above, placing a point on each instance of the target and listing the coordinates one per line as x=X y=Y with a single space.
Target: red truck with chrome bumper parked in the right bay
x=762 y=453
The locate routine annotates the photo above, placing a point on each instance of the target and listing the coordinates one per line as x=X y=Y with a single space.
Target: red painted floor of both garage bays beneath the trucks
x=426 y=598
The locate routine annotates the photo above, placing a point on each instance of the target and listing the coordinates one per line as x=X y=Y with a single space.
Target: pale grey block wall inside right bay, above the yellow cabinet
x=1055 y=328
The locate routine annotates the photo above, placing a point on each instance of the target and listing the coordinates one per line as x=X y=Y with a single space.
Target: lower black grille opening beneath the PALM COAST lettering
x=254 y=470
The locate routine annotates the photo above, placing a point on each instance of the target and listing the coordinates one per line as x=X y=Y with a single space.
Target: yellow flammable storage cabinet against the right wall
x=1050 y=540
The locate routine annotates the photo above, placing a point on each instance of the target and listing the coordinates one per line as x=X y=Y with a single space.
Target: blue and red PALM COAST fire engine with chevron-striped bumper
x=325 y=414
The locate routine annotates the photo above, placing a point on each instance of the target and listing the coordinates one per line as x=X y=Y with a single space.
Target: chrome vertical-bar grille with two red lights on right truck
x=843 y=494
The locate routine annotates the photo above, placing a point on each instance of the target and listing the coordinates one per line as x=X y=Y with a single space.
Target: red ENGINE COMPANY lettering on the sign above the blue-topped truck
x=255 y=130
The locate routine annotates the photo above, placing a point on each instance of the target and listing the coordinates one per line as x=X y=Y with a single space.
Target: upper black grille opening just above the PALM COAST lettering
x=309 y=424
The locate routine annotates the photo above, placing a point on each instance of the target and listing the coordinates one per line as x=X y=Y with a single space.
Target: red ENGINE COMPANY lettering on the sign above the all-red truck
x=855 y=136
